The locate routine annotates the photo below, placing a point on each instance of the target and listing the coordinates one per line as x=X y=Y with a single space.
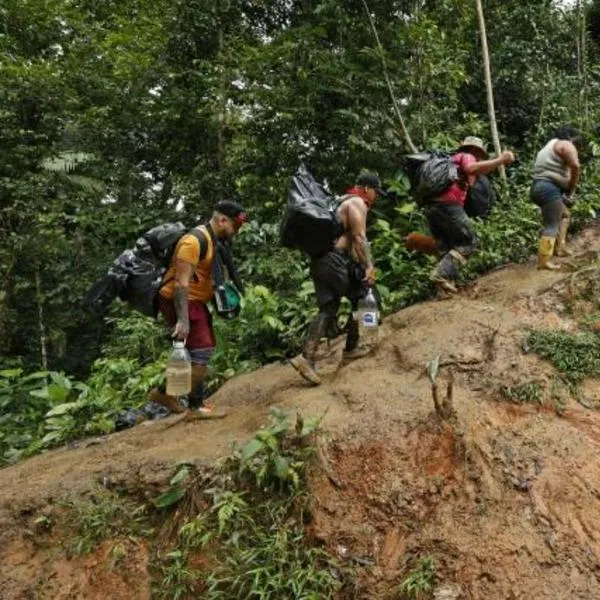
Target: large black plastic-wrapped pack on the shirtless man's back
x=310 y=221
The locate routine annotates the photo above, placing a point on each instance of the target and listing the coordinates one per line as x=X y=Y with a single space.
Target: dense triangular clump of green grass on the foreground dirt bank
x=249 y=540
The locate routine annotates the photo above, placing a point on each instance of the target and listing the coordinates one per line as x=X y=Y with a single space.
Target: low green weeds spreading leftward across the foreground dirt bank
x=238 y=530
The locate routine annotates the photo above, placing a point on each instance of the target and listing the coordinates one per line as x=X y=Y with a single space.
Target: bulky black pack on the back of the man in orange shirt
x=136 y=275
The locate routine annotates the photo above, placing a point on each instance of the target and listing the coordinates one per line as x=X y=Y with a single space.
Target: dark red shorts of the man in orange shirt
x=201 y=339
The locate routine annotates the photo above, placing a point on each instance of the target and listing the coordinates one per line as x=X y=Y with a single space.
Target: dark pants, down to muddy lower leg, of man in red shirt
x=452 y=230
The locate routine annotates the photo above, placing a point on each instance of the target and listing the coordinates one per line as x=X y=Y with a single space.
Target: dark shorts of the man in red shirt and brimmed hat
x=451 y=227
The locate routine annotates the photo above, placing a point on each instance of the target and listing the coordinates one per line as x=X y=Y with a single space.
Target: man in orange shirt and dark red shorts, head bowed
x=187 y=288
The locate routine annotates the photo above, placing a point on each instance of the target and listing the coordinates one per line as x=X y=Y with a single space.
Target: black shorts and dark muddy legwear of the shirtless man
x=335 y=276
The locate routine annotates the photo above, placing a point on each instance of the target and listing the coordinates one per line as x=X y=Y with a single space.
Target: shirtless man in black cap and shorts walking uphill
x=342 y=272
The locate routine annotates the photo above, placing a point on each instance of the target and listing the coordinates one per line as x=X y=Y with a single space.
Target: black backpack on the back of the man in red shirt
x=430 y=173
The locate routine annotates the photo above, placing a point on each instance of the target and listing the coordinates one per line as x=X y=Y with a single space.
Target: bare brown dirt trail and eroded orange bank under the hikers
x=505 y=497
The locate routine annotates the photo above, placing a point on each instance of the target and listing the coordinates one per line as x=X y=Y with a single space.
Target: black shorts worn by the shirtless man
x=336 y=276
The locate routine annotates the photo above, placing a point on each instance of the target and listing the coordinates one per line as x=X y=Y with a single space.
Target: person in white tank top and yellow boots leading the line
x=555 y=177
